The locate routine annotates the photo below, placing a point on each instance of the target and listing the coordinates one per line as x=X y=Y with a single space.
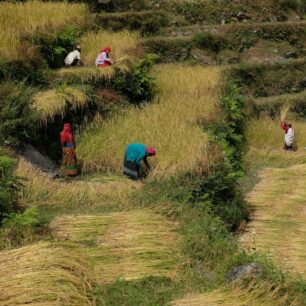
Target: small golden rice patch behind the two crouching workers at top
x=123 y=44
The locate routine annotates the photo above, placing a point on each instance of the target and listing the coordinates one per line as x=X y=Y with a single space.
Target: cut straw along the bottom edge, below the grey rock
x=253 y=295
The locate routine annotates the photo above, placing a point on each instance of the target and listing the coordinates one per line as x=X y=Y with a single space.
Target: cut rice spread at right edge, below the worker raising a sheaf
x=279 y=220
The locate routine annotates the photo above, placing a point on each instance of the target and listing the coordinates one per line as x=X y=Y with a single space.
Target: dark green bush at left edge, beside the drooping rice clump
x=17 y=120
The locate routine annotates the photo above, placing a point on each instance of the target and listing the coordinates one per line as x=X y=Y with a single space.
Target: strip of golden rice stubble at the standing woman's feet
x=40 y=189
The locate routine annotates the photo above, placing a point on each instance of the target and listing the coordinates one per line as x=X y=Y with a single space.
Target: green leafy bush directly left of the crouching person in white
x=54 y=46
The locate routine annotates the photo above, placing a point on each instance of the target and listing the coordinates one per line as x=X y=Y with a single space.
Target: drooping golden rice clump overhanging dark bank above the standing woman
x=53 y=102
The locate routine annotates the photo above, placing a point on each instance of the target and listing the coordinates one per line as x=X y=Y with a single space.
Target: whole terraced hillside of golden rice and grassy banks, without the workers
x=107 y=240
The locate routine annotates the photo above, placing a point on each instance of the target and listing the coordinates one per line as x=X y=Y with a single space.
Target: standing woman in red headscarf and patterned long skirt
x=68 y=146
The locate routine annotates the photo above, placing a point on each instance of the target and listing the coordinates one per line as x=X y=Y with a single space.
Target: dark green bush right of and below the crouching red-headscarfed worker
x=137 y=85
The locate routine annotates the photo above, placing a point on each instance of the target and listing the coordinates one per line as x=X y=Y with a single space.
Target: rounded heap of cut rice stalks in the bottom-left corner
x=43 y=274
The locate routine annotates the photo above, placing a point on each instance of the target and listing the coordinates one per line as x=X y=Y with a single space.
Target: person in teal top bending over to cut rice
x=134 y=154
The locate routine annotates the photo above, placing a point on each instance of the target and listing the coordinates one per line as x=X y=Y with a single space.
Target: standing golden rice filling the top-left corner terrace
x=25 y=18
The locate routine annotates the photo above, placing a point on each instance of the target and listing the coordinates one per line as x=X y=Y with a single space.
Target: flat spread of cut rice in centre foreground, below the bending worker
x=128 y=245
